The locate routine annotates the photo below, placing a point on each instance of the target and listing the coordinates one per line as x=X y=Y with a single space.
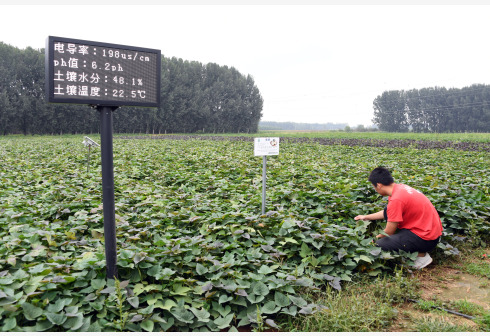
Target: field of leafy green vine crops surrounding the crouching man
x=194 y=251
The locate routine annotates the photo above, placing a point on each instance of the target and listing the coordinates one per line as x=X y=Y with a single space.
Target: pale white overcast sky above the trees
x=311 y=63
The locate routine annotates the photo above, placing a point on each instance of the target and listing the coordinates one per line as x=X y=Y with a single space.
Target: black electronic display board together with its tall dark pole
x=104 y=76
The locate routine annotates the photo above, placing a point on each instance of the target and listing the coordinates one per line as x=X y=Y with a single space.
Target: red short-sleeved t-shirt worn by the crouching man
x=414 y=211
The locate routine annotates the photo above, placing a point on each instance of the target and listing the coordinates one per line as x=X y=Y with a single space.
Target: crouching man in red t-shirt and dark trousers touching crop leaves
x=413 y=224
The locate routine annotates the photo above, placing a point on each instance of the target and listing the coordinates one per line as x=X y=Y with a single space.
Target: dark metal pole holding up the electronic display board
x=108 y=189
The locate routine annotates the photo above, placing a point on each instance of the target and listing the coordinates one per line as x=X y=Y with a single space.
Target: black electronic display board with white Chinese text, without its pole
x=95 y=73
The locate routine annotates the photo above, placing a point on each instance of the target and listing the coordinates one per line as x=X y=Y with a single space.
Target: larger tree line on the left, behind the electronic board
x=195 y=97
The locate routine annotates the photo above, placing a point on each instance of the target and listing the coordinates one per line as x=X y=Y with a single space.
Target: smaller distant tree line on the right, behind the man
x=434 y=110
